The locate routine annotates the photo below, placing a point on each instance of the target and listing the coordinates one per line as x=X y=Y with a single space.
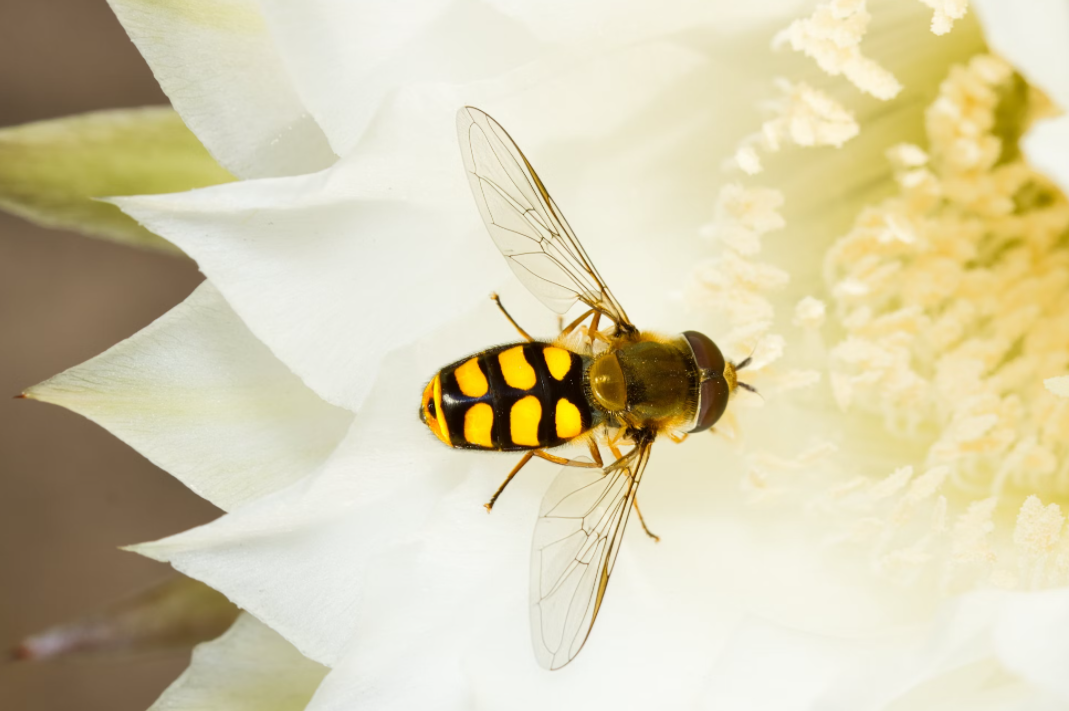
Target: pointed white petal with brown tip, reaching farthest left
x=200 y=397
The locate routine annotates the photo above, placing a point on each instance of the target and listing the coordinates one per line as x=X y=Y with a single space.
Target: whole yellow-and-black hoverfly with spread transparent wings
x=619 y=388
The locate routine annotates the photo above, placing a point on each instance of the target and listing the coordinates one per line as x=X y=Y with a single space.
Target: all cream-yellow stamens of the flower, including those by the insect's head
x=949 y=308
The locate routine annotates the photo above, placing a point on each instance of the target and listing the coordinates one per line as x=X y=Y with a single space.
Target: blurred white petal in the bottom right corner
x=986 y=651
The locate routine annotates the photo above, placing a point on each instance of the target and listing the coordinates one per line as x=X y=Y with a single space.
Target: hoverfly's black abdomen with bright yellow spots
x=521 y=396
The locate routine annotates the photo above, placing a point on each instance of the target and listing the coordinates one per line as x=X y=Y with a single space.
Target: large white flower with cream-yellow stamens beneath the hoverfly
x=804 y=566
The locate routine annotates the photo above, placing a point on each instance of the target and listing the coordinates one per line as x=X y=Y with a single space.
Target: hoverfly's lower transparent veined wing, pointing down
x=577 y=539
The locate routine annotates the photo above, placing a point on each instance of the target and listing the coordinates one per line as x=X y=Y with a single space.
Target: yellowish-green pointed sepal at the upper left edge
x=52 y=172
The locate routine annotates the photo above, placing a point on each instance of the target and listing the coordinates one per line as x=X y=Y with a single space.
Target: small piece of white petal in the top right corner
x=1034 y=37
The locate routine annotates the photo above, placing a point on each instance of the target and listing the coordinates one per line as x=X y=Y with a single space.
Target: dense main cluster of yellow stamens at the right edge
x=953 y=299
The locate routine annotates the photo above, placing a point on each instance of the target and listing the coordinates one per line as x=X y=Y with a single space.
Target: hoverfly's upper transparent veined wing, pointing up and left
x=526 y=224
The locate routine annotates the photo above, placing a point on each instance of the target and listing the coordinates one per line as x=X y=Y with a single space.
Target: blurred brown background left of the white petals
x=71 y=493
